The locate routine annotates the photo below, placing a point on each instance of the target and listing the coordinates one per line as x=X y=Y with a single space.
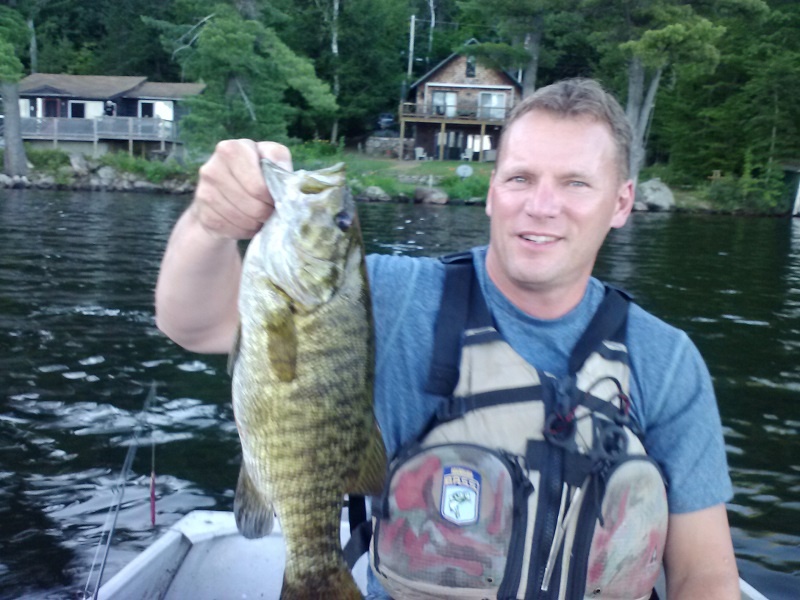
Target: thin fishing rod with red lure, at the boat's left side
x=114 y=508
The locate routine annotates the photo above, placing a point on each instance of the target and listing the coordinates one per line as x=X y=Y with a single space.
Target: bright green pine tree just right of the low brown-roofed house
x=248 y=71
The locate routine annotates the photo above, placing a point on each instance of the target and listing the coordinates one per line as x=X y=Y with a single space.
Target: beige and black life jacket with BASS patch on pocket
x=523 y=485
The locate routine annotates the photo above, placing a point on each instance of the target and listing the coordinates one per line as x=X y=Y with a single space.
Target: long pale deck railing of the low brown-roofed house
x=101 y=128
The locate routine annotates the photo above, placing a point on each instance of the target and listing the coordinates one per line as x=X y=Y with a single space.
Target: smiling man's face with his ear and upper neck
x=553 y=196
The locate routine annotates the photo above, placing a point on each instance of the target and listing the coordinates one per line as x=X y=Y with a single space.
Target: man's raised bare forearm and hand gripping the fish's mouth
x=198 y=283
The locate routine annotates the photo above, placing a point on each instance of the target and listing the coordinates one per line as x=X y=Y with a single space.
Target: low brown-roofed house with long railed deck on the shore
x=95 y=113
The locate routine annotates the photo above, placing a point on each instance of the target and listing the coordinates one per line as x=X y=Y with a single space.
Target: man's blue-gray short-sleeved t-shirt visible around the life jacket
x=671 y=393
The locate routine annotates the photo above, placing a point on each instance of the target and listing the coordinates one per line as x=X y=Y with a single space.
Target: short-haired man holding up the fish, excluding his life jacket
x=561 y=182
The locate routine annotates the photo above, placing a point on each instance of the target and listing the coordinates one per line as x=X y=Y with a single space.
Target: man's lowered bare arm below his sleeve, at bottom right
x=698 y=559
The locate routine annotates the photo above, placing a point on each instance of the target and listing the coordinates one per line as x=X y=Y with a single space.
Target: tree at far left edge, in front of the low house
x=13 y=38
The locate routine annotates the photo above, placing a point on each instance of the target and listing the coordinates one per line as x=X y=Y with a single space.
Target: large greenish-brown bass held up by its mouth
x=302 y=378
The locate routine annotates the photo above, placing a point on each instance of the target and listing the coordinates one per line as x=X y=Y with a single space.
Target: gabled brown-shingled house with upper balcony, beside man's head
x=457 y=109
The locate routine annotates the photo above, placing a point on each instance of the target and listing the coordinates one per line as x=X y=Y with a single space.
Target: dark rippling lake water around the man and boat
x=80 y=351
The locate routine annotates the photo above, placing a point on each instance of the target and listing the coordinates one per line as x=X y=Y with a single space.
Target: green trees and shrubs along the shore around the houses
x=730 y=70
